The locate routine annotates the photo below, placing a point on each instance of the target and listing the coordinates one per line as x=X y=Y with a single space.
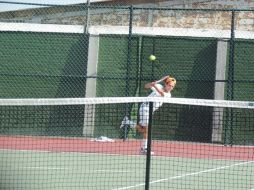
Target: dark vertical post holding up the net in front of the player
x=149 y=143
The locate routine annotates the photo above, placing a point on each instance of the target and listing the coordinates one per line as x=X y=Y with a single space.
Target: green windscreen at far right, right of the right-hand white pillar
x=243 y=90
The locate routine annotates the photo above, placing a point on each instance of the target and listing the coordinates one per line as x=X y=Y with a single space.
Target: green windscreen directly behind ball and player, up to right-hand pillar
x=192 y=61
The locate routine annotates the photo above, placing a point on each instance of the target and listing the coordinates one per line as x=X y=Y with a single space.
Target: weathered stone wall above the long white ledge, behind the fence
x=198 y=19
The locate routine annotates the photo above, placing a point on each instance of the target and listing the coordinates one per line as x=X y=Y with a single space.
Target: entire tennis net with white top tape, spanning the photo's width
x=77 y=143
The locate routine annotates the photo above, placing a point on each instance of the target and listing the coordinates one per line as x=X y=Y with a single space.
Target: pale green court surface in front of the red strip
x=31 y=169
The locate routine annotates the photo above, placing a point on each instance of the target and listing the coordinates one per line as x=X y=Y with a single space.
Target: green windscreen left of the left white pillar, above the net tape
x=42 y=65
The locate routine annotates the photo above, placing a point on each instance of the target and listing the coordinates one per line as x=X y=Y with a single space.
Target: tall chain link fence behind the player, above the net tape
x=102 y=50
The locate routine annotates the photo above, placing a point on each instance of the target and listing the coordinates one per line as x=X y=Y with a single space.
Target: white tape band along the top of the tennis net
x=110 y=100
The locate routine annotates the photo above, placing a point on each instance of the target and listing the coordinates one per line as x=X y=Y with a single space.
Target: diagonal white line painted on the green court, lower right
x=185 y=175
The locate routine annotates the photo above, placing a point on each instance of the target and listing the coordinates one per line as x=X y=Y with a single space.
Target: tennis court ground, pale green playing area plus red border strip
x=76 y=163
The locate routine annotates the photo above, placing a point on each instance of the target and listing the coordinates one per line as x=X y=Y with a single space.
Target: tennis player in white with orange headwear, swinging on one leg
x=158 y=90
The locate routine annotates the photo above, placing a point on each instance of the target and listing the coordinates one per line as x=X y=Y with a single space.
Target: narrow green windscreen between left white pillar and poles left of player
x=118 y=76
